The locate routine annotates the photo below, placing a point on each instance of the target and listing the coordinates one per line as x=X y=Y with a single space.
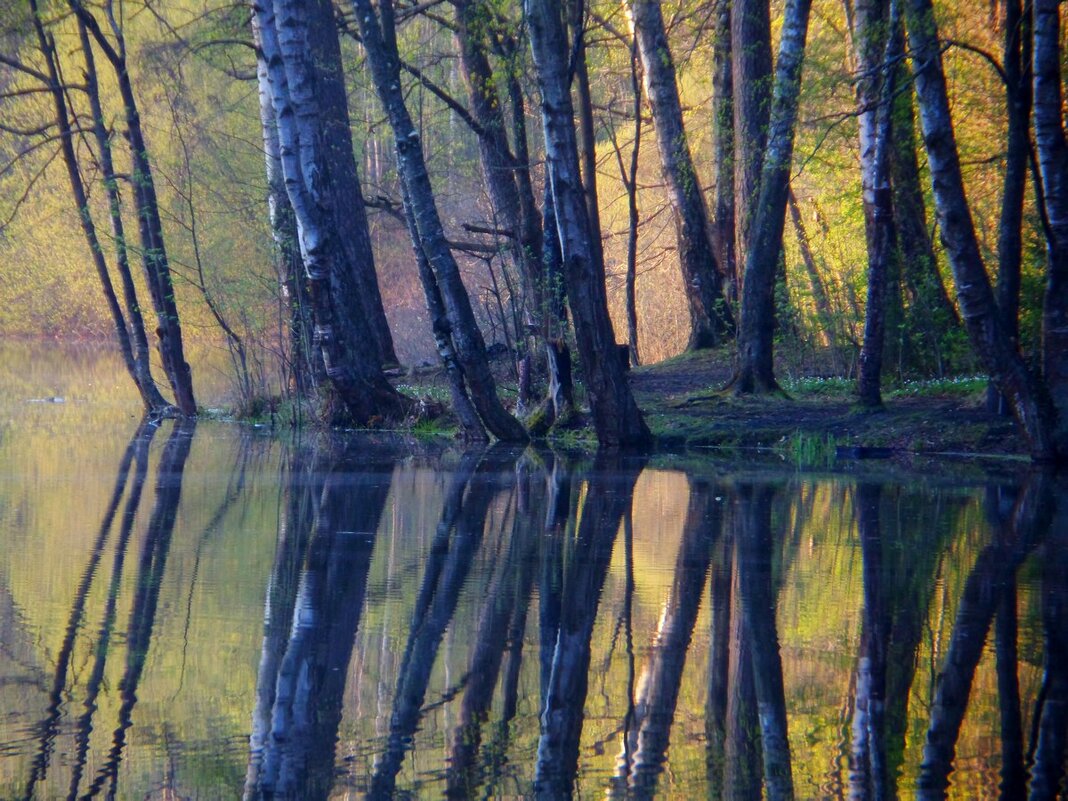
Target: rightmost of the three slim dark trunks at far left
x=154 y=253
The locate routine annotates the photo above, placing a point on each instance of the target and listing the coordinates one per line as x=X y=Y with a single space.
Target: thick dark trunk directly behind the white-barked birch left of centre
x=359 y=282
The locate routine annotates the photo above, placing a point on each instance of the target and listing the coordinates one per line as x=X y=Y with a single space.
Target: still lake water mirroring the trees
x=211 y=612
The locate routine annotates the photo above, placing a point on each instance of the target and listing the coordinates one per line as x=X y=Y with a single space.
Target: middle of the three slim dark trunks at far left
x=147 y=385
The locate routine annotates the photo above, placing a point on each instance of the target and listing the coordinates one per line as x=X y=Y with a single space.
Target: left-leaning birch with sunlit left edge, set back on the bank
x=710 y=316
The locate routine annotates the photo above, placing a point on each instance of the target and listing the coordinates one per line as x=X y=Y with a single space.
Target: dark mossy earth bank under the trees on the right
x=816 y=419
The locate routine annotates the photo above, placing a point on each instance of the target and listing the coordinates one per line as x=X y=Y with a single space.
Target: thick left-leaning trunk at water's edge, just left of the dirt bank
x=617 y=417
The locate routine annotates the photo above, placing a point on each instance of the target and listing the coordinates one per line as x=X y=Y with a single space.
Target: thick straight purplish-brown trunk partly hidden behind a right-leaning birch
x=751 y=99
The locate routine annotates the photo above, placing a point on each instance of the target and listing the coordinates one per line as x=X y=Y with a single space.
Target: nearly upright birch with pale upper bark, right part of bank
x=877 y=52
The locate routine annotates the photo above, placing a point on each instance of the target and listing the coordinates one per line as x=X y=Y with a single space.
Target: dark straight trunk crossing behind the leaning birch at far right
x=1018 y=102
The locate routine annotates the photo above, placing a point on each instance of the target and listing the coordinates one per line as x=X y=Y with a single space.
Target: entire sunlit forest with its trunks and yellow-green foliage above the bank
x=878 y=189
